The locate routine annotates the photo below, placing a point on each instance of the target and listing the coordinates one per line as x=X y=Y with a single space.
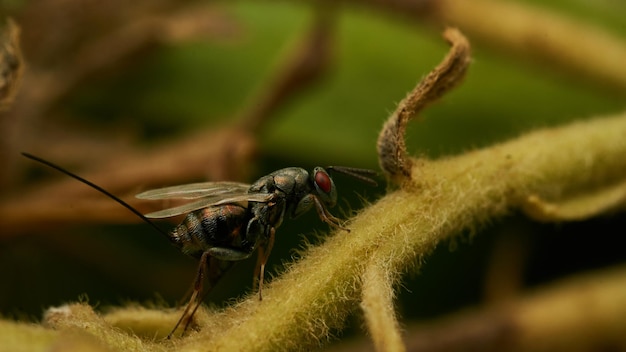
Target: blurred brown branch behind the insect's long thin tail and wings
x=227 y=156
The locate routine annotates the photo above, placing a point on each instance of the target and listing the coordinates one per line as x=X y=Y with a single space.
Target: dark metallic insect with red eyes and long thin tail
x=226 y=222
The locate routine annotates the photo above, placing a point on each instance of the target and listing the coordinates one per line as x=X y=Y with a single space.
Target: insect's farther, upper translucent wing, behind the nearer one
x=196 y=190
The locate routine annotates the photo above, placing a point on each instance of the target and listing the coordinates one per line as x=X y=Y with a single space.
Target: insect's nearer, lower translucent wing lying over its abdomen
x=213 y=200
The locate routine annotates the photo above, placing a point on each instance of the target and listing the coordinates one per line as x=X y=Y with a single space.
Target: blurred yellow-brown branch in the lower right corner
x=583 y=313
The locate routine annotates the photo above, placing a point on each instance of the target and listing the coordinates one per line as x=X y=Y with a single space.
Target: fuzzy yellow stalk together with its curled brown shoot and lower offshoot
x=436 y=200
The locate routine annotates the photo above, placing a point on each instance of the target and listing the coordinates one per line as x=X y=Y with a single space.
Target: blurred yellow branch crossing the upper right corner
x=521 y=29
